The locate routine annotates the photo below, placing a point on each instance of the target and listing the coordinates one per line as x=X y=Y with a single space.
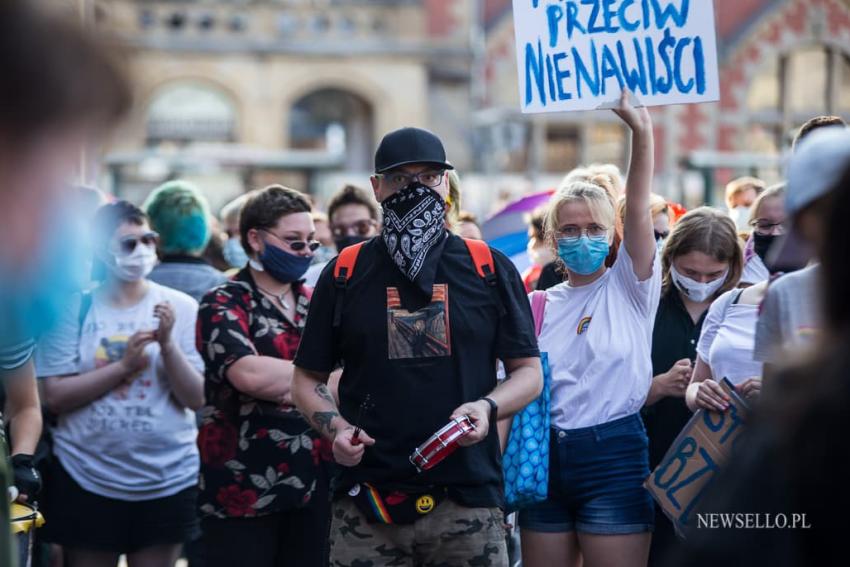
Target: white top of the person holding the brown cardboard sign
x=728 y=337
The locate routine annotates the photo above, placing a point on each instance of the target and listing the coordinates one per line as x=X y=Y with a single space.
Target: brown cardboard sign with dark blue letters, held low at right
x=703 y=446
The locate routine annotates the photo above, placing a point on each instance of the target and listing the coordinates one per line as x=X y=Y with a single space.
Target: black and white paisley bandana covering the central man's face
x=414 y=232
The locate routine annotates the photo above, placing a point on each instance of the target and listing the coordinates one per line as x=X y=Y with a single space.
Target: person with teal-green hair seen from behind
x=179 y=213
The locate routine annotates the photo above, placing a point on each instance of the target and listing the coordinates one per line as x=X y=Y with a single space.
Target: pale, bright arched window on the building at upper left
x=188 y=112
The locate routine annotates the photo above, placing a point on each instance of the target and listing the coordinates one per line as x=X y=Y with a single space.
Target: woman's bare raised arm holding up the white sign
x=638 y=236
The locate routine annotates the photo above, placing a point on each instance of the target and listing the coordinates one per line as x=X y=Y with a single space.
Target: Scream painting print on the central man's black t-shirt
x=423 y=333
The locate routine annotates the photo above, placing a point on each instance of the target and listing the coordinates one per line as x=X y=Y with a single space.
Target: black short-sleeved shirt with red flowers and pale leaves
x=257 y=457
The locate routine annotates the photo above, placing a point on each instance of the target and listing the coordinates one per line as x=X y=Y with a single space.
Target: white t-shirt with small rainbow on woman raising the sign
x=599 y=340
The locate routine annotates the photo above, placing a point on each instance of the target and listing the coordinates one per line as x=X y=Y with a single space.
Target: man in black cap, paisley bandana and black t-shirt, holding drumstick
x=418 y=327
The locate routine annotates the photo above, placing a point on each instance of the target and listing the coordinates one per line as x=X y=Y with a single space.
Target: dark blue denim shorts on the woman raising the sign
x=596 y=477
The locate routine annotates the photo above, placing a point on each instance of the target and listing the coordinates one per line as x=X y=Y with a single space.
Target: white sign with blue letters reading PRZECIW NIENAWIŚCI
x=581 y=54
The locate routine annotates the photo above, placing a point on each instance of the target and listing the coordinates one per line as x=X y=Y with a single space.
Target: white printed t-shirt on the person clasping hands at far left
x=136 y=442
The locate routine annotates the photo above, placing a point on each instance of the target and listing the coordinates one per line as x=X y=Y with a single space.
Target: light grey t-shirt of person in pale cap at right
x=790 y=315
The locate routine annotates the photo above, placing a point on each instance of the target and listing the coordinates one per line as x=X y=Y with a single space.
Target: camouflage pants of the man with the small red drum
x=450 y=536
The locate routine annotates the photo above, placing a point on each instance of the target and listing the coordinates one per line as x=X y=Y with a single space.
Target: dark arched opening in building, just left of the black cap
x=337 y=121
